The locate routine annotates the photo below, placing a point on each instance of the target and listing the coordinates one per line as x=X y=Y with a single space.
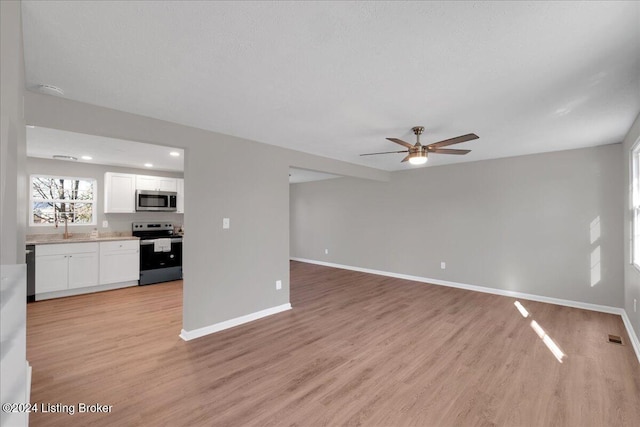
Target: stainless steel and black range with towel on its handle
x=160 y=252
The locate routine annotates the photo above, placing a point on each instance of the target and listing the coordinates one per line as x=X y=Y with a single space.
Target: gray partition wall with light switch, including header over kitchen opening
x=227 y=273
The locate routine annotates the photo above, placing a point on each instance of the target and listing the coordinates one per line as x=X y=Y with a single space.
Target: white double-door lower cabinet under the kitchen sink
x=66 y=266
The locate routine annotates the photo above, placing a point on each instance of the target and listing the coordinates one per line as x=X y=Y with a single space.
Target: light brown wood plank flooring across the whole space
x=357 y=349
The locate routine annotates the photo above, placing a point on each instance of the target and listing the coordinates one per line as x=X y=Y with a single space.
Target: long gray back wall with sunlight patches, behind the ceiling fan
x=520 y=224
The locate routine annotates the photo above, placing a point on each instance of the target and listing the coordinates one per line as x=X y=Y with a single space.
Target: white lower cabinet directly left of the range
x=119 y=261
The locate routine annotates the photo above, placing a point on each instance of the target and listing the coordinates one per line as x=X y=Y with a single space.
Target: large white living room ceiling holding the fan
x=337 y=78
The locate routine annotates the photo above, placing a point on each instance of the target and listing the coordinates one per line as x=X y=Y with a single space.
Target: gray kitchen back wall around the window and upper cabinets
x=118 y=222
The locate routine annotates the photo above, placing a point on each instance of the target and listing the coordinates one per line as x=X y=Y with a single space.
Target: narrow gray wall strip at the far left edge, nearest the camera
x=13 y=363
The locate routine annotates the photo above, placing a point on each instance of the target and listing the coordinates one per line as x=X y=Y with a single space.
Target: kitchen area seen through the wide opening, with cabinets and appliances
x=103 y=214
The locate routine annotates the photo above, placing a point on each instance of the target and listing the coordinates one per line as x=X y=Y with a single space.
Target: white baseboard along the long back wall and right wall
x=568 y=303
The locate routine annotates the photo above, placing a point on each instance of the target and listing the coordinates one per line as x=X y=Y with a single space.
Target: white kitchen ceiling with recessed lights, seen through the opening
x=45 y=143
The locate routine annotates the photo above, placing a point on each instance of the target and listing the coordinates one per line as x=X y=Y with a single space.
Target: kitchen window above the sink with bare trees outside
x=54 y=199
